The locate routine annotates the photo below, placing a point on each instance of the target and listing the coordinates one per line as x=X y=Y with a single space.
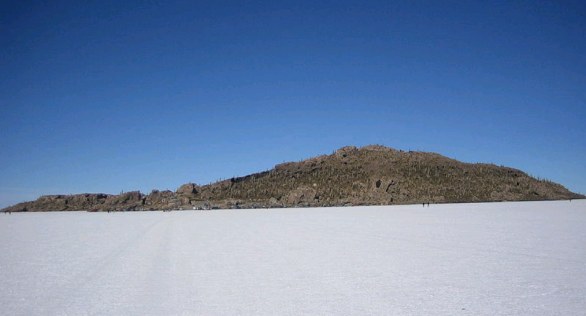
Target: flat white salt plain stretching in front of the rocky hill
x=467 y=259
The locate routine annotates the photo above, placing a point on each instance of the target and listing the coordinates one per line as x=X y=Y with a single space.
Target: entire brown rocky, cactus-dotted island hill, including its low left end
x=371 y=175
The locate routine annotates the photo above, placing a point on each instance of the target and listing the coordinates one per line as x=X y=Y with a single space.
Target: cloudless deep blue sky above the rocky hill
x=105 y=96
